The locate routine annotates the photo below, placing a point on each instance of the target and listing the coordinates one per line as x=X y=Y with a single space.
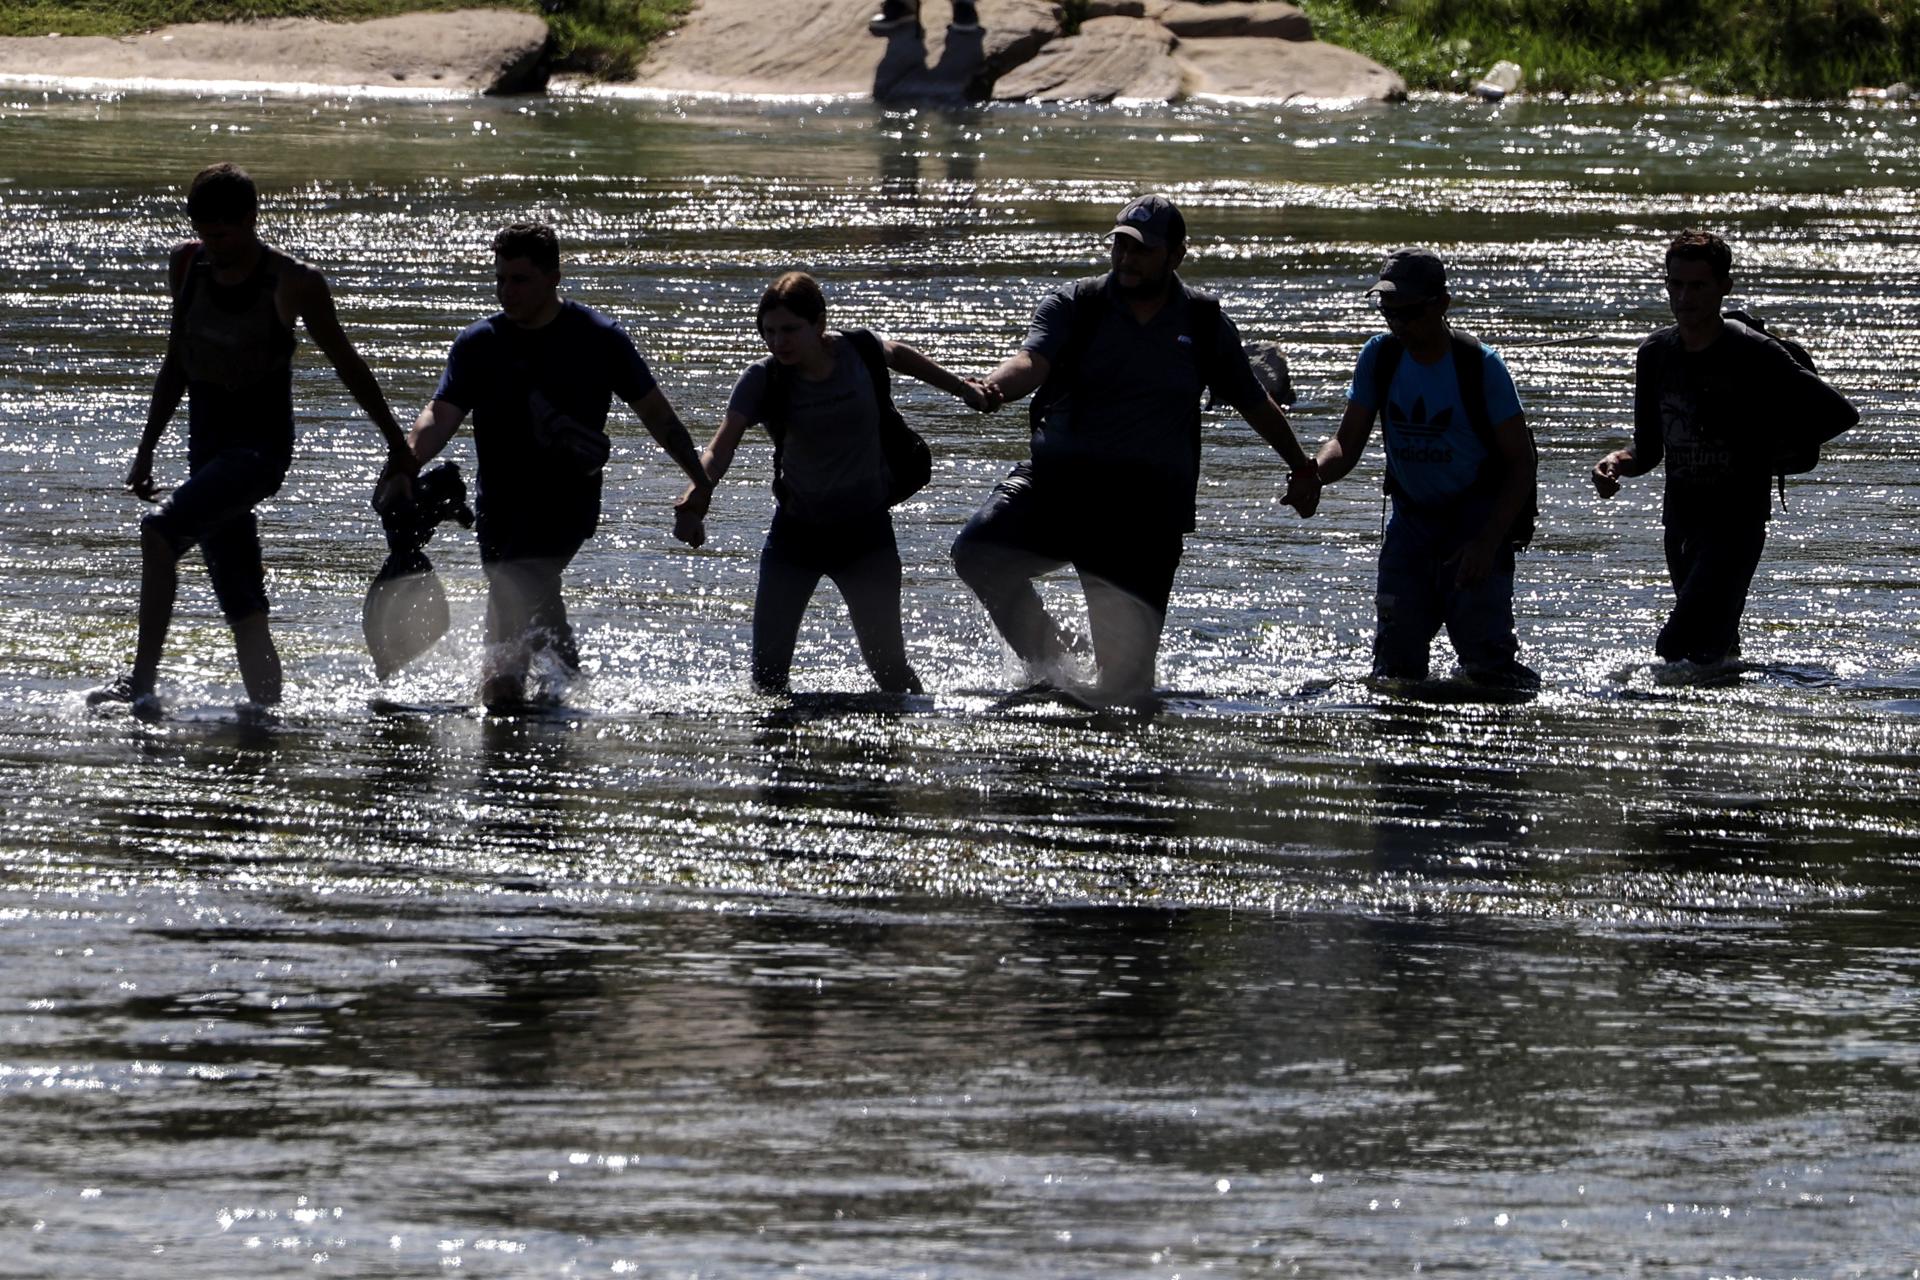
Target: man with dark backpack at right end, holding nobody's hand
x=1721 y=402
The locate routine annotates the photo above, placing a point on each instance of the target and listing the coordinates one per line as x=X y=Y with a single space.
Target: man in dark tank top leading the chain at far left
x=231 y=356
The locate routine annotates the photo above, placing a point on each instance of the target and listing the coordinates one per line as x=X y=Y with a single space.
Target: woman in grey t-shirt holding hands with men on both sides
x=819 y=398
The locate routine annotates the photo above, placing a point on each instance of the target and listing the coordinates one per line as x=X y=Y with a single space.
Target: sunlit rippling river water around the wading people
x=1297 y=978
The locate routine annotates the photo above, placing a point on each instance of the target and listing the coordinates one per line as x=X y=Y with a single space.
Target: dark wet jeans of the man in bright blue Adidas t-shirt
x=1418 y=598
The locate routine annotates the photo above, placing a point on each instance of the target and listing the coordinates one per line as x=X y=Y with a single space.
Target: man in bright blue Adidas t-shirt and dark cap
x=1462 y=479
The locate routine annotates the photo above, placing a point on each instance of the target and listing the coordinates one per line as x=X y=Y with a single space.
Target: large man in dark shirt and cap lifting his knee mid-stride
x=1118 y=366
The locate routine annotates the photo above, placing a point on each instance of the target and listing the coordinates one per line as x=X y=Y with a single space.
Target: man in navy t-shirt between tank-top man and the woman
x=540 y=379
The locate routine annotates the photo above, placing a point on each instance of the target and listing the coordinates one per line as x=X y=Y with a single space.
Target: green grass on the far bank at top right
x=1777 y=49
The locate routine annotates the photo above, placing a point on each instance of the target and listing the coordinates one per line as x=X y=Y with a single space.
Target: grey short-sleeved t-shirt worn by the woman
x=830 y=463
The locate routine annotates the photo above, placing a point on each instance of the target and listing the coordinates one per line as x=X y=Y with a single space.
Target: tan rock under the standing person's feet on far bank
x=823 y=47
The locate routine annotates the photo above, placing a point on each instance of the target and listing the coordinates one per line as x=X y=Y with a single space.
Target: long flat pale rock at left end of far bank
x=469 y=51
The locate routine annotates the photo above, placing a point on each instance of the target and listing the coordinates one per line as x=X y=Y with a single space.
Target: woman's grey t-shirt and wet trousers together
x=830 y=517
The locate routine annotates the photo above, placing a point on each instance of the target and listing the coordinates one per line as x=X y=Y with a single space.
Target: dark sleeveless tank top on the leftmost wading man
x=239 y=360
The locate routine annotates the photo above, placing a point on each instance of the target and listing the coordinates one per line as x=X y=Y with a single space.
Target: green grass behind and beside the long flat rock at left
x=598 y=37
